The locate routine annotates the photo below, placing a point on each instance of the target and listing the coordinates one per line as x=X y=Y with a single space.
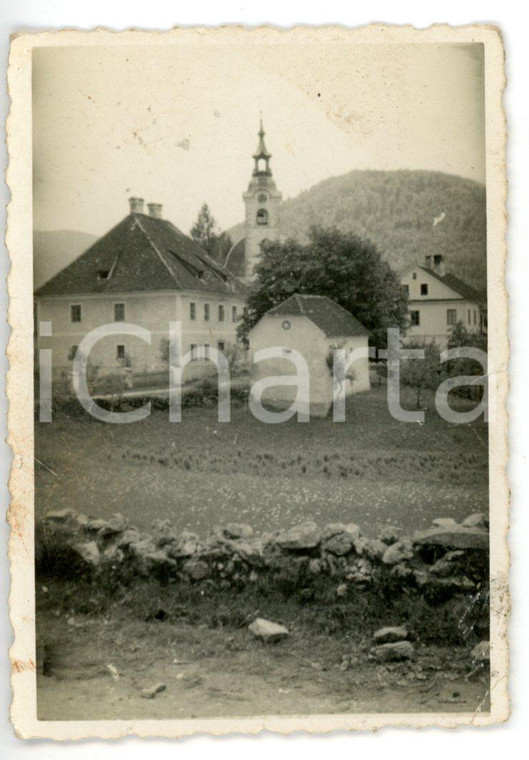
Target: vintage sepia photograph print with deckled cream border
x=263 y=387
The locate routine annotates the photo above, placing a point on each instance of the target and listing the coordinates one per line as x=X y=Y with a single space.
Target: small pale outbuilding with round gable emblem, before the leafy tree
x=314 y=327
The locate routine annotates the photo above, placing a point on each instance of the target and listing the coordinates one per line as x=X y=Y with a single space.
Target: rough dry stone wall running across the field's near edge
x=444 y=560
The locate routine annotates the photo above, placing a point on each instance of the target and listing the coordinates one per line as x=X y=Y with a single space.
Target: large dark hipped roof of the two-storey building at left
x=143 y=253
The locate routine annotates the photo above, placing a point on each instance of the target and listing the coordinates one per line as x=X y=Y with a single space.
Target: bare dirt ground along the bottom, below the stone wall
x=95 y=668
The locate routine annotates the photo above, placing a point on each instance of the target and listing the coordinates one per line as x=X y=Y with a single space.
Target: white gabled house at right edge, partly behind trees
x=438 y=300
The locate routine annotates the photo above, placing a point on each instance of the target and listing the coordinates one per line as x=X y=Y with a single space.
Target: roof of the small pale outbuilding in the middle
x=333 y=320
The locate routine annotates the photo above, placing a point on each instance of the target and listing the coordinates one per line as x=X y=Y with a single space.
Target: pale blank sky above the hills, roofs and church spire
x=177 y=124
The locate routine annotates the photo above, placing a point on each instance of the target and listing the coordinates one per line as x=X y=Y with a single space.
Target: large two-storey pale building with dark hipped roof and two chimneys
x=146 y=272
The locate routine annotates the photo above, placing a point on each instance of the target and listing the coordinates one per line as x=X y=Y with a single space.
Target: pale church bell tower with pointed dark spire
x=262 y=201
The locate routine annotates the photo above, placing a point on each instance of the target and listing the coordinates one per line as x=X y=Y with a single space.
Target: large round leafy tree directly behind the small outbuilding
x=338 y=265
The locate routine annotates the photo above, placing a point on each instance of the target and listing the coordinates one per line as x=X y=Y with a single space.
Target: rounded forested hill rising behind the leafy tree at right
x=397 y=211
